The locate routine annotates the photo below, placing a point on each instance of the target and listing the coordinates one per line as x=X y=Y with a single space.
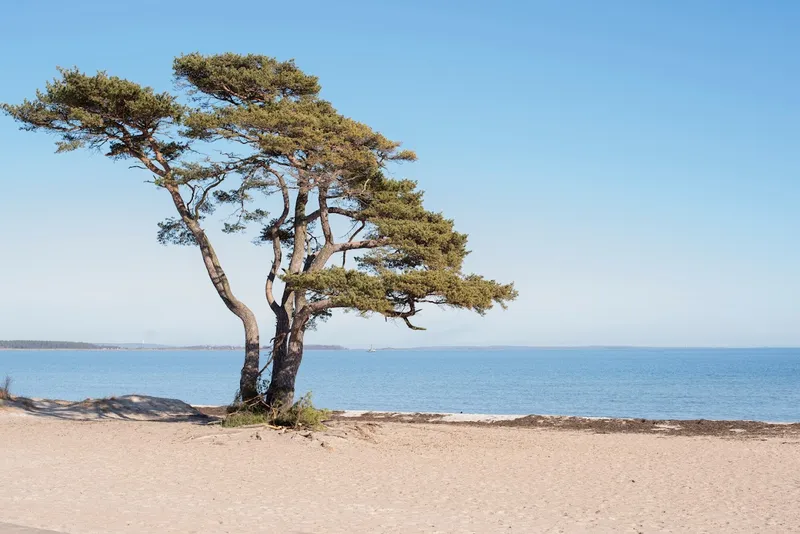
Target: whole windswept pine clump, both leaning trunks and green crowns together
x=286 y=161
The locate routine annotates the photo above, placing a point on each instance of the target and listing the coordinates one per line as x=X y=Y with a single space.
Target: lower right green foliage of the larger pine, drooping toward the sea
x=415 y=257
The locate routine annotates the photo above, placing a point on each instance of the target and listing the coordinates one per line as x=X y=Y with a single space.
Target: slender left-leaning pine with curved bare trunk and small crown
x=132 y=122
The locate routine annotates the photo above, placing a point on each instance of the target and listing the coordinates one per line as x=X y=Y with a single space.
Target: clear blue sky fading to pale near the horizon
x=634 y=167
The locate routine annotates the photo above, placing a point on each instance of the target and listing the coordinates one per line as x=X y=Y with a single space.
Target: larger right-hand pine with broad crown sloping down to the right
x=329 y=171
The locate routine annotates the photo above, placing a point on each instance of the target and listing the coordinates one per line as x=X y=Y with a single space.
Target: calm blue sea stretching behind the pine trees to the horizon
x=761 y=384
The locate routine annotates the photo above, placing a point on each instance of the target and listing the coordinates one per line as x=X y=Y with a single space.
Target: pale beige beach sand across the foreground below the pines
x=107 y=475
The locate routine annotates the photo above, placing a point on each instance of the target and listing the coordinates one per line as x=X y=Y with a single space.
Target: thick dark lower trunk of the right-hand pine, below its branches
x=286 y=363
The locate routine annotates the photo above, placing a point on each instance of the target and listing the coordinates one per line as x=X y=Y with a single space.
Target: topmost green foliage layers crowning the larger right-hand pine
x=275 y=109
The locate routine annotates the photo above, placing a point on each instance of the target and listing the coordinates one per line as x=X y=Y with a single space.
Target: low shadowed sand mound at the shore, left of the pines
x=132 y=407
